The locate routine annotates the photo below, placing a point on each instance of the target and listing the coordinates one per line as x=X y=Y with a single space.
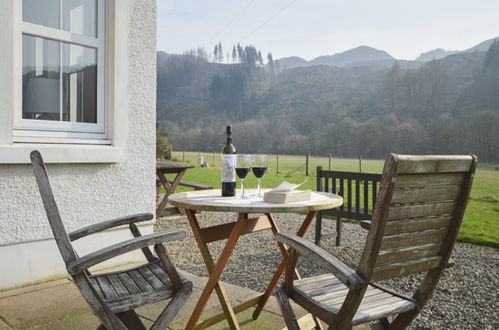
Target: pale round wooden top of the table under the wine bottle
x=212 y=200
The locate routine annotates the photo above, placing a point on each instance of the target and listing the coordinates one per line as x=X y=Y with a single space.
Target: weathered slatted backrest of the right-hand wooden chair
x=420 y=208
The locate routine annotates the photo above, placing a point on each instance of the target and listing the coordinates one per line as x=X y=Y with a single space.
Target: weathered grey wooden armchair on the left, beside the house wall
x=114 y=296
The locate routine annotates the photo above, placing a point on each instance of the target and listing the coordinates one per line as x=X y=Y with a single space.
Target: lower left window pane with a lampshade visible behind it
x=40 y=78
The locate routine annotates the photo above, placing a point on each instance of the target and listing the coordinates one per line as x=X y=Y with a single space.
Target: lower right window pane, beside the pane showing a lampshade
x=79 y=83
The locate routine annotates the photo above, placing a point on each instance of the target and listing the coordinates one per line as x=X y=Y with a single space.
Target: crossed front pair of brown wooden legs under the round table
x=215 y=270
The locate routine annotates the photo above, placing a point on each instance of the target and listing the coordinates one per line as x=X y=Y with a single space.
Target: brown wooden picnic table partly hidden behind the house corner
x=163 y=168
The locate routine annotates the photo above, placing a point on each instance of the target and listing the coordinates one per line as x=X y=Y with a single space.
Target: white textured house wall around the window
x=90 y=183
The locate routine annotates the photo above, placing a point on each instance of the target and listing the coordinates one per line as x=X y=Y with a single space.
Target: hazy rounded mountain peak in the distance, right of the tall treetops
x=359 y=54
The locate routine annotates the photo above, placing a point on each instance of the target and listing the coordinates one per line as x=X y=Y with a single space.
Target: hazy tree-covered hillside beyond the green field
x=444 y=106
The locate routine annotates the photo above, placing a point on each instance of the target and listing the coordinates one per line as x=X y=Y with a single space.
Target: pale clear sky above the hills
x=311 y=28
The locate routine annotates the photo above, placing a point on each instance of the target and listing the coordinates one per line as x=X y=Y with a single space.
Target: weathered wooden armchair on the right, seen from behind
x=416 y=219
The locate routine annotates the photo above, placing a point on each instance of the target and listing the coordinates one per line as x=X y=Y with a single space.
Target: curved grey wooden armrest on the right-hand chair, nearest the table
x=342 y=272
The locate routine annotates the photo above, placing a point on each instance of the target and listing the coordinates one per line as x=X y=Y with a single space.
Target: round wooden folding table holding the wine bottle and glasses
x=211 y=200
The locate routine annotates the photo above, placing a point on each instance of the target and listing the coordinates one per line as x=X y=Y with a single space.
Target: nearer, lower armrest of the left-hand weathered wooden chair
x=115 y=250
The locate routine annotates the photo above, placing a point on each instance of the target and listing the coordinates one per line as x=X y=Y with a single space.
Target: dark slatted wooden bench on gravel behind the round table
x=359 y=191
